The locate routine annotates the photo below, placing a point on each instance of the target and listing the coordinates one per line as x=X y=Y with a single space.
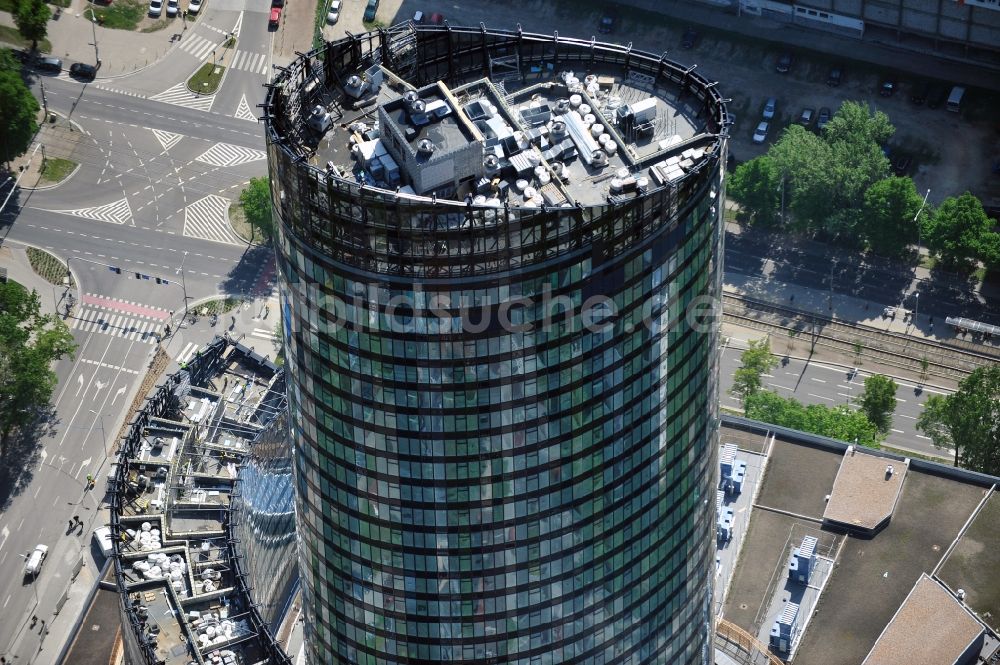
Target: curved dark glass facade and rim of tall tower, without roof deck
x=486 y=469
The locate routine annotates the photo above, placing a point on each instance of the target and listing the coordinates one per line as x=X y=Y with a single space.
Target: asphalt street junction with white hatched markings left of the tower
x=158 y=171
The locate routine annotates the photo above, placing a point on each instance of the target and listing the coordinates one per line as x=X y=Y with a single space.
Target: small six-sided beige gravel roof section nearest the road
x=864 y=494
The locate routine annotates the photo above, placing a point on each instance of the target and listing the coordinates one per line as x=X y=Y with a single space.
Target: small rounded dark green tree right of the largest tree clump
x=889 y=213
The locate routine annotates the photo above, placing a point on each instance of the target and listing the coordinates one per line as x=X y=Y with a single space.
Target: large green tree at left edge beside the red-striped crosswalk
x=29 y=343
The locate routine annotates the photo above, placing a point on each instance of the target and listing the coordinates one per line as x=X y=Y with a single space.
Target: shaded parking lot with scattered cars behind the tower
x=950 y=153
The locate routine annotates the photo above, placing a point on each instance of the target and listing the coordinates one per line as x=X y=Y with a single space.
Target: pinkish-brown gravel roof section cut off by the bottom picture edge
x=930 y=628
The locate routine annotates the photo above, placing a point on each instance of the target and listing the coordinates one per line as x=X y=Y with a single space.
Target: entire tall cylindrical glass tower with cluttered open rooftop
x=504 y=398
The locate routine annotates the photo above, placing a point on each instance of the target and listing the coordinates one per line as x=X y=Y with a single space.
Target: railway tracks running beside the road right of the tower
x=915 y=354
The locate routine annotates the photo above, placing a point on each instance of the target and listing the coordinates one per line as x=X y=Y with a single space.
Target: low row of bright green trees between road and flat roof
x=838 y=422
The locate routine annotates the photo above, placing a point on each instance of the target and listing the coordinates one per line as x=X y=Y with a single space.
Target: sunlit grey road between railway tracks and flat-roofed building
x=829 y=385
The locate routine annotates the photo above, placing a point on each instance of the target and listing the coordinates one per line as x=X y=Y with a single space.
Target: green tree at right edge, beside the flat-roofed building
x=968 y=420
